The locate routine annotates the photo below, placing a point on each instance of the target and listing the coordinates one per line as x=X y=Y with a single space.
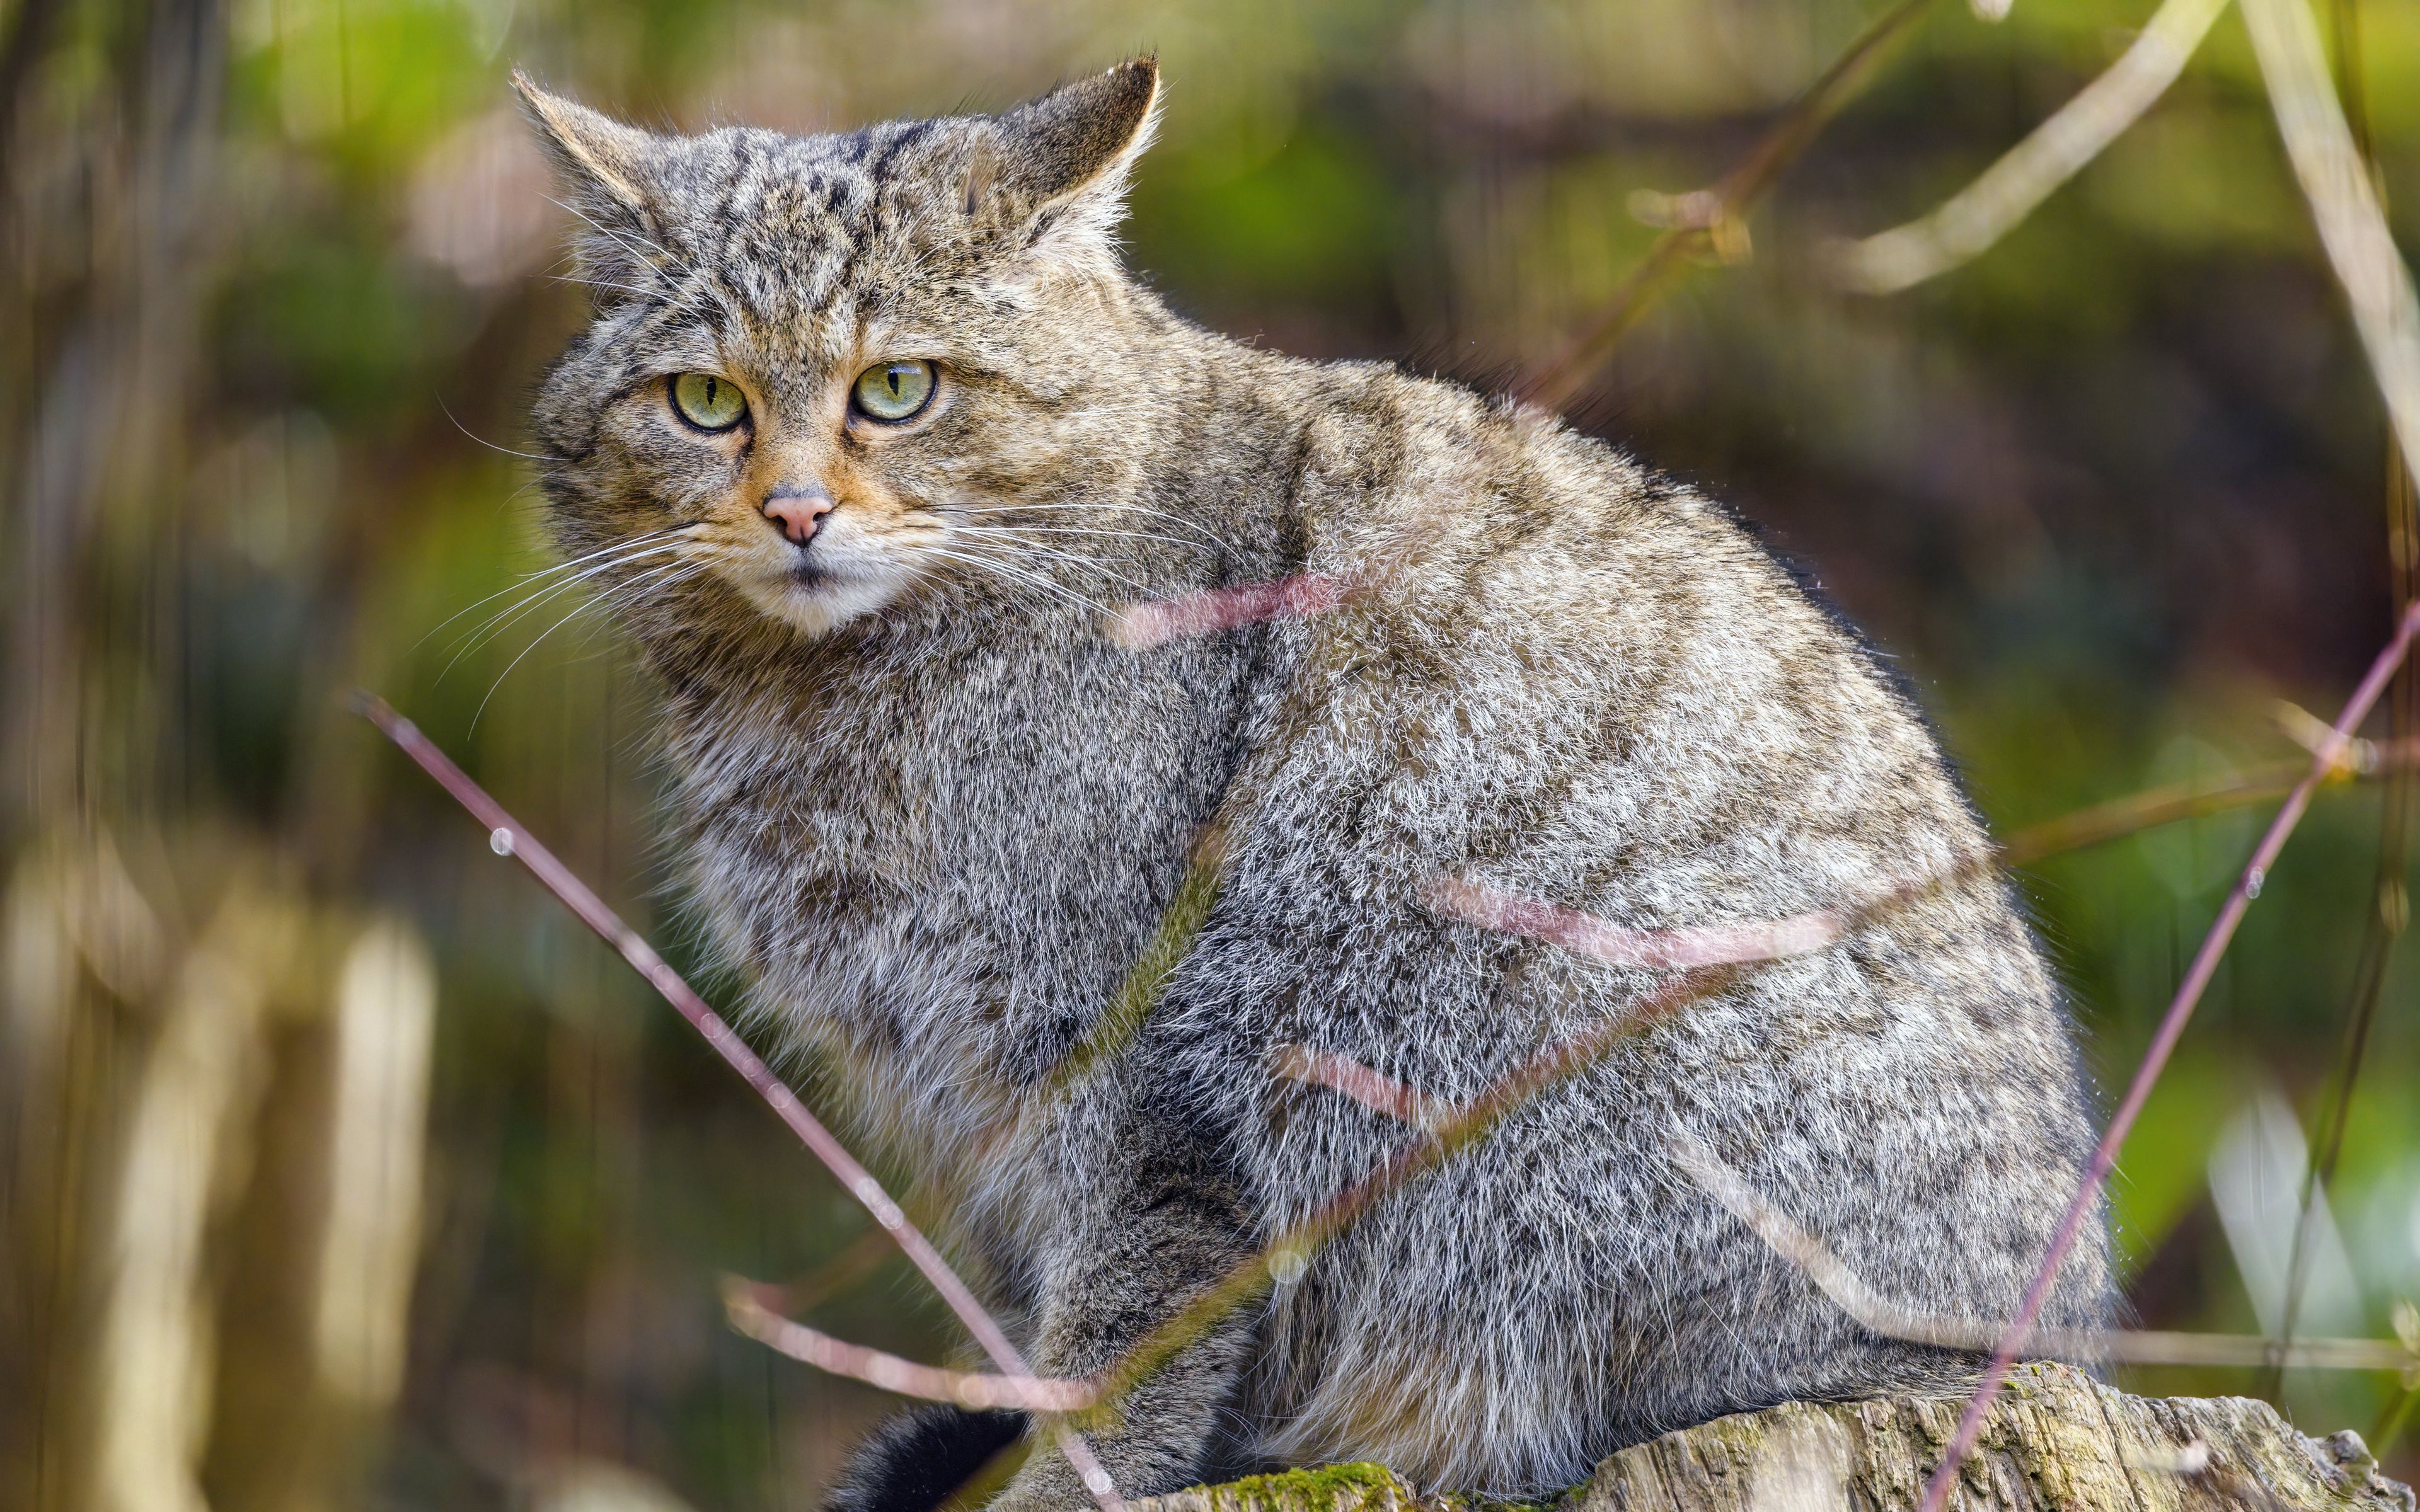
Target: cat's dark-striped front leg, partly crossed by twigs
x=1168 y=1233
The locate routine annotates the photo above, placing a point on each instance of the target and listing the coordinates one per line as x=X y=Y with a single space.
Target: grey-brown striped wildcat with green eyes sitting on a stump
x=865 y=437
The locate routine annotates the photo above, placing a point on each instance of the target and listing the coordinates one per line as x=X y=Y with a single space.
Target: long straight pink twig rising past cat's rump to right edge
x=2189 y=993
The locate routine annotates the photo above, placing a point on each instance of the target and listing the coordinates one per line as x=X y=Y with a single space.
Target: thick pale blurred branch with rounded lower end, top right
x=2017 y=185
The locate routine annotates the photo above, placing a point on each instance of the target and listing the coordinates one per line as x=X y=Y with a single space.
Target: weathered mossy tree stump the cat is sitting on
x=2056 y=1443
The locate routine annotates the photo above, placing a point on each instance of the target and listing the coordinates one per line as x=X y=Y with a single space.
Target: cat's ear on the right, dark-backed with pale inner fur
x=1064 y=161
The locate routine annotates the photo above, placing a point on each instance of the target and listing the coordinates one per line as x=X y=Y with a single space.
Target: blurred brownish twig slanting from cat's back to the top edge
x=1715 y=214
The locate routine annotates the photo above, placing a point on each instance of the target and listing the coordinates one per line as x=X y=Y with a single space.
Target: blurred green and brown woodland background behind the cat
x=342 y=1170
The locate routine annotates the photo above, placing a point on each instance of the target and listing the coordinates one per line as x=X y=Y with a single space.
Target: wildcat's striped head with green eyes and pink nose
x=829 y=371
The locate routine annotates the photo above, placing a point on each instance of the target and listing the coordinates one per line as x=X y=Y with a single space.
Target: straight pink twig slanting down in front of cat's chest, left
x=507 y=838
